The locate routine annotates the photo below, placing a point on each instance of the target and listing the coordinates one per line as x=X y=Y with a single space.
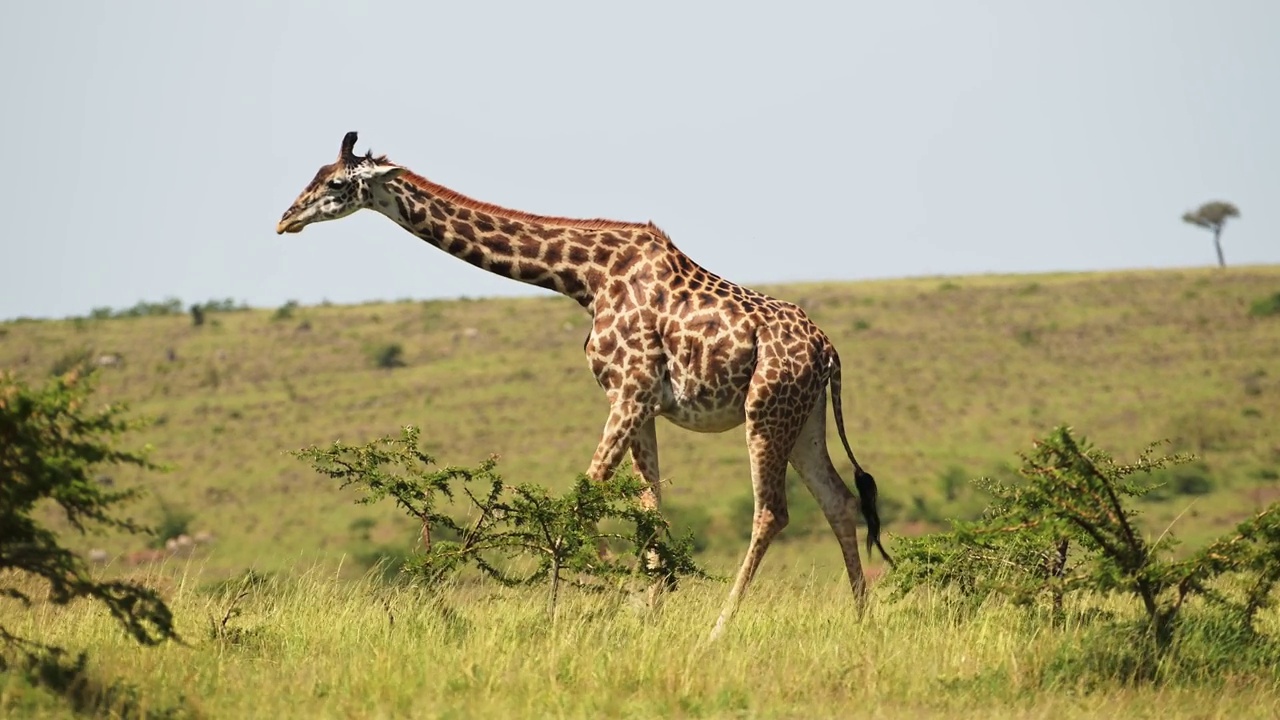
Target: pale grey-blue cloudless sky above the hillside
x=153 y=144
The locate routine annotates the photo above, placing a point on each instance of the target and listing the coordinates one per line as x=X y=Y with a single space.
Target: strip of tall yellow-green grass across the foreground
x=312 y=646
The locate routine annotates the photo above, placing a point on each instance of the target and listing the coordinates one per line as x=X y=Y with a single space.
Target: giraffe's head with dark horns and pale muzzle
x=340 y=189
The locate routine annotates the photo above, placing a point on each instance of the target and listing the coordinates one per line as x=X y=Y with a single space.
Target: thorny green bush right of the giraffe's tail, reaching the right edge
x=1064 y=527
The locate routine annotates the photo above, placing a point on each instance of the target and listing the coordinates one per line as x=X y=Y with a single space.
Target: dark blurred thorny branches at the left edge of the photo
x=53 y=448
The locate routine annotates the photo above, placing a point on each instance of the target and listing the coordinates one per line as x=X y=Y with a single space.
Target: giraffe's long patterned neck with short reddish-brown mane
x=570 y=257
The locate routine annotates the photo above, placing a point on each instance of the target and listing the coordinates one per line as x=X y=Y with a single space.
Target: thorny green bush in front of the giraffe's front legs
x=515 y=535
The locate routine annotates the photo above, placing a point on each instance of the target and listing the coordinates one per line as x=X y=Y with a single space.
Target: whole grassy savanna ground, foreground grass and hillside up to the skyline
x=945 y=380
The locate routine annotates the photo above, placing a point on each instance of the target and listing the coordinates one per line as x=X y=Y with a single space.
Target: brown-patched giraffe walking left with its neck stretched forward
x=669 y=340
